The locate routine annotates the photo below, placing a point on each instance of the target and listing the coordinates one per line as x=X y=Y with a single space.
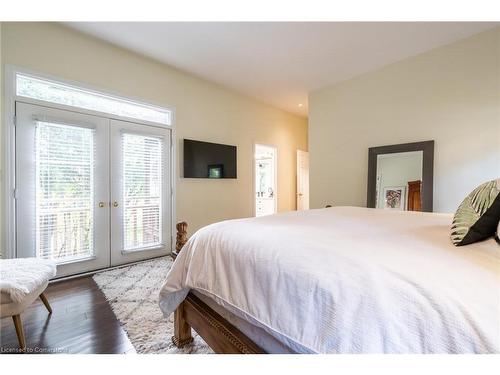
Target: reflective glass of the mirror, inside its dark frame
x=399 y=181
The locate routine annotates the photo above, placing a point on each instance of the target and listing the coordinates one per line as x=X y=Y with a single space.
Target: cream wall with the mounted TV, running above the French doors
x=203 y=111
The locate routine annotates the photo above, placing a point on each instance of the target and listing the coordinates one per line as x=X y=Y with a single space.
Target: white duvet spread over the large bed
x=348 y=280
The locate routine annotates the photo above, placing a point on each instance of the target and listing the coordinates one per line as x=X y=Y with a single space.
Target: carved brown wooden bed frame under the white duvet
x=193 y=313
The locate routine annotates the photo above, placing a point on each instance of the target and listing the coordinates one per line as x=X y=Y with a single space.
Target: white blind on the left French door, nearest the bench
x=64 y=160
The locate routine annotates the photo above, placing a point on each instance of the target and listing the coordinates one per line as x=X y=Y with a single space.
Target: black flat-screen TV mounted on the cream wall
x=209 y=160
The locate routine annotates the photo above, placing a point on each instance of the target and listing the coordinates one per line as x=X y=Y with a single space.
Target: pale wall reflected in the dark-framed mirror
x=397 y=170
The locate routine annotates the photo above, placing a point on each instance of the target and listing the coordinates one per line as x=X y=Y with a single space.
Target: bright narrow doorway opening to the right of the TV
x=265 y=172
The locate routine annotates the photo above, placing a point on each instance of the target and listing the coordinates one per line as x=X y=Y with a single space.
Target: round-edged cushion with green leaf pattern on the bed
x=477 y=216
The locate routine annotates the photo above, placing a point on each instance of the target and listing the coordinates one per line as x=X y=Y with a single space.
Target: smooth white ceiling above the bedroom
x=279 y=63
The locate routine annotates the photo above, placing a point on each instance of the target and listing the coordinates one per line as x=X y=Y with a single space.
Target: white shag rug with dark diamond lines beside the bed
x=132 y=292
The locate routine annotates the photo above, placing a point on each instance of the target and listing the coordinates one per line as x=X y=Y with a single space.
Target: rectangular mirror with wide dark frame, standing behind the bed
x=400 y=177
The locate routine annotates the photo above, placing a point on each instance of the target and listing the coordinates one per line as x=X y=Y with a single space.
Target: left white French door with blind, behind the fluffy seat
x=62 y=188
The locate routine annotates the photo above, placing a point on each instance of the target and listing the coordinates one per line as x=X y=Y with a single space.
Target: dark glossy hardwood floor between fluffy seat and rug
x=82 y=322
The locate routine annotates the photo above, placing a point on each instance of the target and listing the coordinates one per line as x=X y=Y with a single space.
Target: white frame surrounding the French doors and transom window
x=8 y=246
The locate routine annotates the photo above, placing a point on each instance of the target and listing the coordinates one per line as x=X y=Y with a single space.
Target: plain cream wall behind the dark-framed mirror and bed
x=450 y=94
